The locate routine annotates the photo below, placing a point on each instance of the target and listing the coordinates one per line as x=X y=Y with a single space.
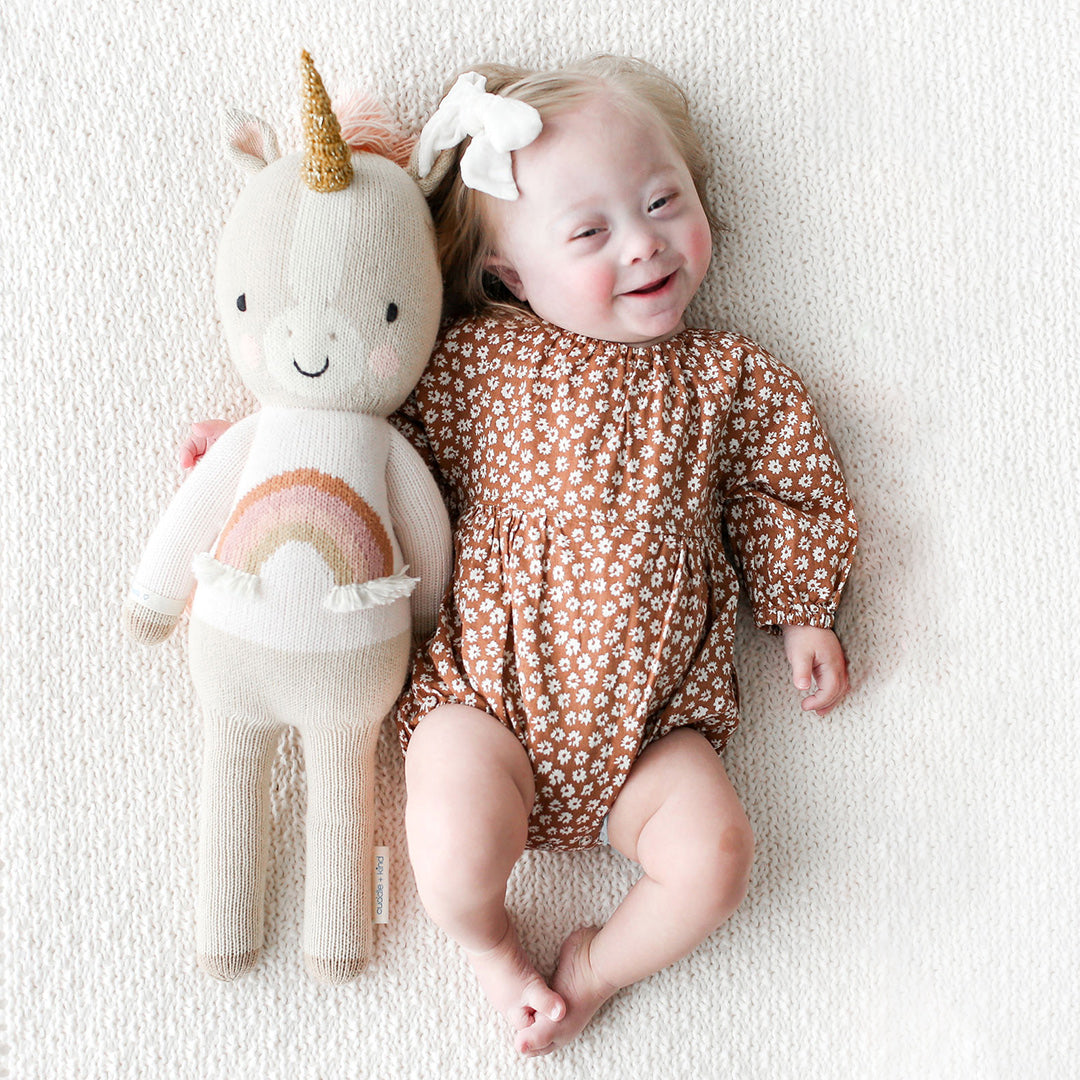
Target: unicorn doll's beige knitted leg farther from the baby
x=234 y=841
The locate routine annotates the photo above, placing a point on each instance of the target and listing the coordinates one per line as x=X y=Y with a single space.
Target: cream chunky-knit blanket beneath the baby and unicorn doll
x=899 y=185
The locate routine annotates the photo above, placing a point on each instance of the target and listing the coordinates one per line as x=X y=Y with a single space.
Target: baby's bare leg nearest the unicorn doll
x=470 y=792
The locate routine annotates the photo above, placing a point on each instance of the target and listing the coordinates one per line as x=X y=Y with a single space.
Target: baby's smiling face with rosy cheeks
x=609 y=238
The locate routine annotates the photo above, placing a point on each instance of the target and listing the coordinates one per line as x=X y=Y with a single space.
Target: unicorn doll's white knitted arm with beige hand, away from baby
x=165 y=580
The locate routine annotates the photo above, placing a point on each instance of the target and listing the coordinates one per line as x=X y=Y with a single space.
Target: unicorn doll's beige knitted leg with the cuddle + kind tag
x=337 y=906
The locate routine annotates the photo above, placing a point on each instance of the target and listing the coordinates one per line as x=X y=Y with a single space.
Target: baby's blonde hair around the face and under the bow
x=465 y=244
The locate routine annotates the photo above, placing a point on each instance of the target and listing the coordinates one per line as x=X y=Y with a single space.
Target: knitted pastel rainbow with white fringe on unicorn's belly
x=312 y=508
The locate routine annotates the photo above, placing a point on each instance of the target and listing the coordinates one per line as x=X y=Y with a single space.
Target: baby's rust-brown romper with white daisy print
x=595 y=488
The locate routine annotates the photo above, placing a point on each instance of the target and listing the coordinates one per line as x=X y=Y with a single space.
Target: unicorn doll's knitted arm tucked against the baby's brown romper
x=423 y=529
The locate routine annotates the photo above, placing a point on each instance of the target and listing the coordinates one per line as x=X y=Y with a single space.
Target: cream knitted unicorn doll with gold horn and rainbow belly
x=314 y=529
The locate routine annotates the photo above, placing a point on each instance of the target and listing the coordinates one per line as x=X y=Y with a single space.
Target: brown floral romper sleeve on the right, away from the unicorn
x=787 y=512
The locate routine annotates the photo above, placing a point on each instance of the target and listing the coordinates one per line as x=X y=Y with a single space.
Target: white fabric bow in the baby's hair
x=497 y=126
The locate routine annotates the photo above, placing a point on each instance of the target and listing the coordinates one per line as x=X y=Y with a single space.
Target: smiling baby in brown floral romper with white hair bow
x=611 y=475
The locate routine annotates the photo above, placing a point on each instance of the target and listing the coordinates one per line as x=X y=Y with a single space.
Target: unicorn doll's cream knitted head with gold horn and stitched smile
x=328 y=278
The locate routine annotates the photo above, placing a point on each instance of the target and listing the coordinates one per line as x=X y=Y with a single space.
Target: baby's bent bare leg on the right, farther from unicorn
x=680 y=818
